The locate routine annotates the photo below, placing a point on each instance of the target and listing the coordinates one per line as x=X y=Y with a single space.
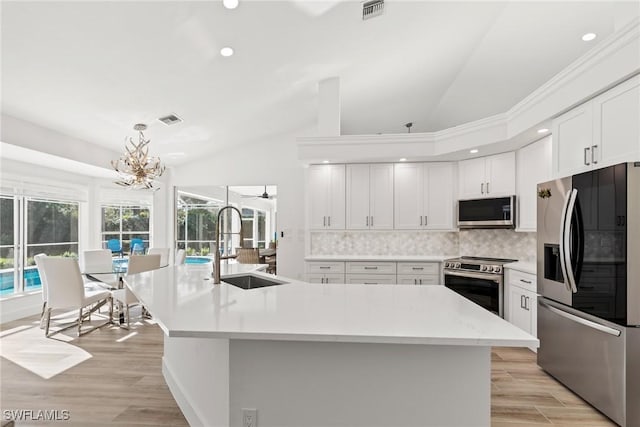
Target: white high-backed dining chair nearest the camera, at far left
x=65 y=289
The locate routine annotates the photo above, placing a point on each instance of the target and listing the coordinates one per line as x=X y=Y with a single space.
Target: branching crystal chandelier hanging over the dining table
x=136 y=168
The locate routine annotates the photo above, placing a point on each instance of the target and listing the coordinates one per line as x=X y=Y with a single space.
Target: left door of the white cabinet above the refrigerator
x=572 y=141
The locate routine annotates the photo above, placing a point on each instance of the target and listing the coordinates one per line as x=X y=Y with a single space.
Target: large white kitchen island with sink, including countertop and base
x=323 y=355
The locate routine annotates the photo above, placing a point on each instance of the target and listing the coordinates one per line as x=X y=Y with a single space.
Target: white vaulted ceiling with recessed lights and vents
x=93 y=69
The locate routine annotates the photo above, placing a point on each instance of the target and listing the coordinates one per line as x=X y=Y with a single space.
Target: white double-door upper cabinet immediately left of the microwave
x=424 y=196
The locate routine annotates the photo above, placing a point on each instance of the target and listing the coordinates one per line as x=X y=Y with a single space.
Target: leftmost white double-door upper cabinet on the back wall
x=326 y=196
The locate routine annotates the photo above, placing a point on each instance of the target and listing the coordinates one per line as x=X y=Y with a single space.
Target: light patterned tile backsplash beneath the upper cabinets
x=488 y=243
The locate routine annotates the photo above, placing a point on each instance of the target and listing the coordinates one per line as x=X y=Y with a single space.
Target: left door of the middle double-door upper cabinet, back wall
x=357 y=197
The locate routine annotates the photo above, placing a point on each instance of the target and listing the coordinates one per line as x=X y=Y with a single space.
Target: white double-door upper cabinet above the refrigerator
x=600 y=132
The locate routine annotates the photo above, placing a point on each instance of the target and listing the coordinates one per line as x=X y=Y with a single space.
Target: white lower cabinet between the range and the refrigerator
x=522 y=304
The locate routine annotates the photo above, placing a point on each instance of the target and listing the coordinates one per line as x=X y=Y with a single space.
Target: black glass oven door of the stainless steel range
x=483 y=289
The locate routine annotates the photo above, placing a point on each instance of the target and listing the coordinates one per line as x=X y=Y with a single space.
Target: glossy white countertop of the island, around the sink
x=185 y=302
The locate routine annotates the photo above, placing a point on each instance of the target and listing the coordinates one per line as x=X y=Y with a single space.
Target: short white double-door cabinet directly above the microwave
x=492 y=176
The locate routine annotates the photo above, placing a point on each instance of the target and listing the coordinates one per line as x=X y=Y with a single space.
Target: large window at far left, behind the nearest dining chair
x=48 y=226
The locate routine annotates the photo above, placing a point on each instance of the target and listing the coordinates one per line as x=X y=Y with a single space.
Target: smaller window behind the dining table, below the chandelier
x=125 y=222
